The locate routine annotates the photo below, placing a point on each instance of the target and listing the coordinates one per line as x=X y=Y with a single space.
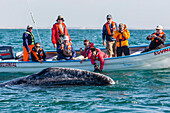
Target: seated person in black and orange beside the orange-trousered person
x=38 y=54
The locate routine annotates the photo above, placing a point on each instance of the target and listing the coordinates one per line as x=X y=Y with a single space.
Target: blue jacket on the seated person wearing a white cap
x=61 y=56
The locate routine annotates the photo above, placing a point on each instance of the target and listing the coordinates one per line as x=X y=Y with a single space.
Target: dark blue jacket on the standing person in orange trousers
x=28 y=39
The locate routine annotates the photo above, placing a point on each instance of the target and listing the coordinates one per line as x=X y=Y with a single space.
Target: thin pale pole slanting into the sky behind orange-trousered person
x=33 y=19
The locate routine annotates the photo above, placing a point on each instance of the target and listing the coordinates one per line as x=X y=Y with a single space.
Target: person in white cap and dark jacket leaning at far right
x=157 y=39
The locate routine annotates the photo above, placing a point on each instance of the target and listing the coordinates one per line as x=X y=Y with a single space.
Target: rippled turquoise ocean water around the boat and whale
x=134 y=91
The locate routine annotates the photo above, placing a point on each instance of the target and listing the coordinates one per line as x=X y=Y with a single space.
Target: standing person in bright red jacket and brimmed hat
x=59 y=30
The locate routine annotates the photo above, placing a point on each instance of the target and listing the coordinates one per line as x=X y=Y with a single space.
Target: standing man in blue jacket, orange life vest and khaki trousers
x=108 y=31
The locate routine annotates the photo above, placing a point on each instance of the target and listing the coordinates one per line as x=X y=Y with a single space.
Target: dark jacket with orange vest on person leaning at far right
x=156 y=42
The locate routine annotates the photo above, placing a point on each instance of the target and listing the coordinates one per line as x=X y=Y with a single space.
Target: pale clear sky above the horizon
x=136 y=14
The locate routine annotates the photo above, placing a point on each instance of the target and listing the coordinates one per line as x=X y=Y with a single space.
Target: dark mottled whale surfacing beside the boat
x=56 y=76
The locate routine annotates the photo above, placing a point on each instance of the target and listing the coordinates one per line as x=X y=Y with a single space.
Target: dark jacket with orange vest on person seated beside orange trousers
x=40 y=54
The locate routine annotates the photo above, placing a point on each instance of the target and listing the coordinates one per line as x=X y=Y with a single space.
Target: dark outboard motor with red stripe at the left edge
x=6 y=52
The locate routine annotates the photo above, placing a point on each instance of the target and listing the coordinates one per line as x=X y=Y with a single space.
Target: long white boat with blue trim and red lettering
x=156 y=59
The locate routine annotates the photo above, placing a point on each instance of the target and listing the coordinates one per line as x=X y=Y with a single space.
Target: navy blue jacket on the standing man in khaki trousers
x=105 y=33
